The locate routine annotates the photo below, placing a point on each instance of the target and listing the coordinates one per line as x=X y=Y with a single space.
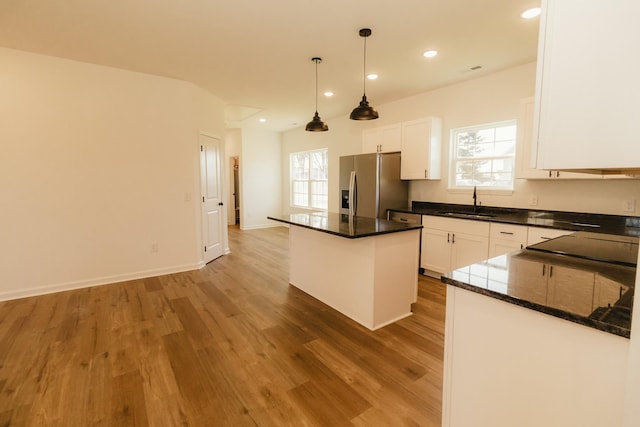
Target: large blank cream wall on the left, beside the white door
x=97 y=164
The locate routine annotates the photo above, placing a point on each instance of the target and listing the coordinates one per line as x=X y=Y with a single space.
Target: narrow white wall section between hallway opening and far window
x=260 y=178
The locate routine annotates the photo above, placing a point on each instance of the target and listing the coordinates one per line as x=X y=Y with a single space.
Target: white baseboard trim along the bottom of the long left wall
x=98 y=281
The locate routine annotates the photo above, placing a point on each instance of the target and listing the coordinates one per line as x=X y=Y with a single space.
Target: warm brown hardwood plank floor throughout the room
x=229 y=345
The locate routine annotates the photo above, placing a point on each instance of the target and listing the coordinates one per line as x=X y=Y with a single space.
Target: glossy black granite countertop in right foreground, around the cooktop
x=592 y=293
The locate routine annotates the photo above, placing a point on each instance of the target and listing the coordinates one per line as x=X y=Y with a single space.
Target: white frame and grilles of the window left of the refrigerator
x=310 y=182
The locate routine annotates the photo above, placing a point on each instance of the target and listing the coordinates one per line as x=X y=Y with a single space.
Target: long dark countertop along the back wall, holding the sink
x=573 y=221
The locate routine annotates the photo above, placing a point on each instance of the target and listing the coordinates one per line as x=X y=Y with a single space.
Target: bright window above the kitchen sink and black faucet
x=483 y=156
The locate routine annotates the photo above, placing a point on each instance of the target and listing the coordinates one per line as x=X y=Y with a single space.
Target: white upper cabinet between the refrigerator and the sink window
x=421 y=141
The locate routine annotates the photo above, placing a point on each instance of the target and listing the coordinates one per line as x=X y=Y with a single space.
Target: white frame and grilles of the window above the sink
x=454 y=159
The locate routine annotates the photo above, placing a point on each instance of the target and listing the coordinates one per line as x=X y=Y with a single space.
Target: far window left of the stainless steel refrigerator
x=309 y=179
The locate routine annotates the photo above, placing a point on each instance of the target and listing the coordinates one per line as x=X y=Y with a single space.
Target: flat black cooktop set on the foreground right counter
x=622 y=250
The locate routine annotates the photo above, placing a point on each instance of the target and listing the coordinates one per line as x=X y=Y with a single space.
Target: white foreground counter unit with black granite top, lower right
x=535 y=338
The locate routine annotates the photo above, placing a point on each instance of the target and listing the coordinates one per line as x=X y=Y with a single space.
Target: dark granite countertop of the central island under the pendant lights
x=344 y=225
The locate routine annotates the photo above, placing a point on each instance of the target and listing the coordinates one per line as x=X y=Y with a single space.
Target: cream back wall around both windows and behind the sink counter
x=487 y=99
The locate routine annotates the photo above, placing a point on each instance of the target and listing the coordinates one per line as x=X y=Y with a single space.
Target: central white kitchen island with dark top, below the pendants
x=365 y=268
